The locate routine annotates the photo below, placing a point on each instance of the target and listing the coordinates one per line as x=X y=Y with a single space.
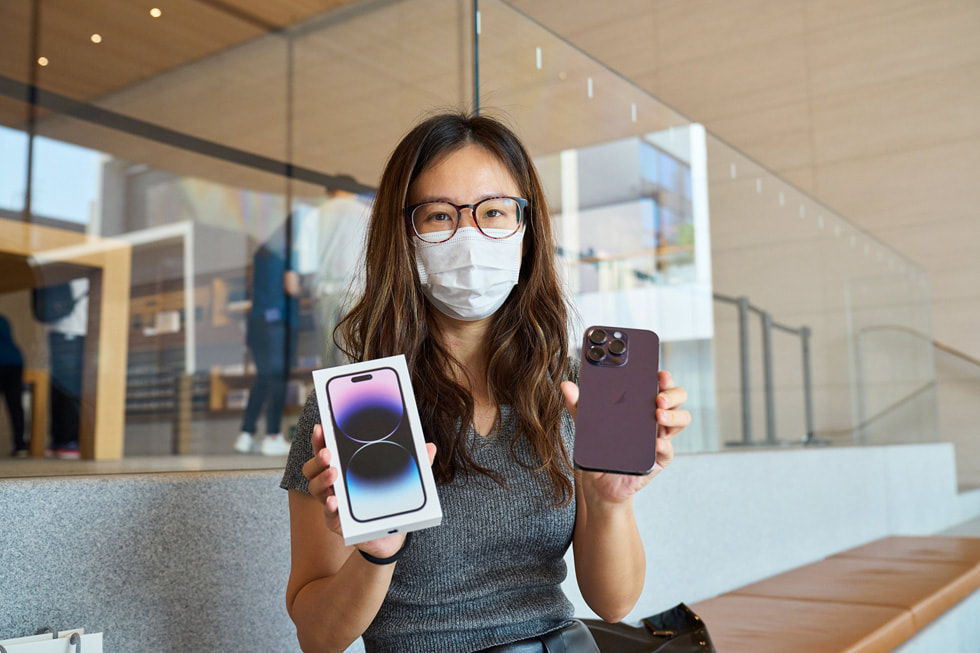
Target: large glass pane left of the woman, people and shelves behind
x=227 y=149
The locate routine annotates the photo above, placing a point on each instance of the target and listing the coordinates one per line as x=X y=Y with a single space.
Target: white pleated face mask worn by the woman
x=469 y=276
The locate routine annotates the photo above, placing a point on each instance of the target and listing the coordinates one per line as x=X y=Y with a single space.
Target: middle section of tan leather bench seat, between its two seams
x=925 y=588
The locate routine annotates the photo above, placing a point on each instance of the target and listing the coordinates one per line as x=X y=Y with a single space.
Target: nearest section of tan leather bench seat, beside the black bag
x=758 y=624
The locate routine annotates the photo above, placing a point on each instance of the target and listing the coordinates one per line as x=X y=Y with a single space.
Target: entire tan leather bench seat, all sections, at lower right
x=867 y=599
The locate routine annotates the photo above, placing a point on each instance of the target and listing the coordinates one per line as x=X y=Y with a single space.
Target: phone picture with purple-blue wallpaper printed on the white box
x=374 y=443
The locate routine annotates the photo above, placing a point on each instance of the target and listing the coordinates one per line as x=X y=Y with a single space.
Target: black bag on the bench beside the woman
x=678 y=630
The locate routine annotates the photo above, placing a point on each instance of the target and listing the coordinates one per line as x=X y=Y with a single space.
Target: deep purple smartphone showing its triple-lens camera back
x=616 y=428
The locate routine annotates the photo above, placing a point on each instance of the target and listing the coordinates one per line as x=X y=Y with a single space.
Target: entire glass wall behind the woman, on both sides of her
x=200 y=135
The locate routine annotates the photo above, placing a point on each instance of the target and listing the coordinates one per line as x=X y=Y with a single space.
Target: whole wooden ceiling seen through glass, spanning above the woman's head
x=327 y=85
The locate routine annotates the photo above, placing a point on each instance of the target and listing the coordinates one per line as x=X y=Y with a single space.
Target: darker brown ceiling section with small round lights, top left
x=135 y=46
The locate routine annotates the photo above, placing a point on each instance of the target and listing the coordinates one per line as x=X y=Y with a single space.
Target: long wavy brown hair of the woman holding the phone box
x=527 y=352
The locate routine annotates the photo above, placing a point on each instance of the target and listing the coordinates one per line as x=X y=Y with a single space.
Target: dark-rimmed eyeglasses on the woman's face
x=495 y=217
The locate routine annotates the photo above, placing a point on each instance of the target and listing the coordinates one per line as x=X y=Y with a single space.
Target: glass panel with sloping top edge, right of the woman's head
x=760 y=293
